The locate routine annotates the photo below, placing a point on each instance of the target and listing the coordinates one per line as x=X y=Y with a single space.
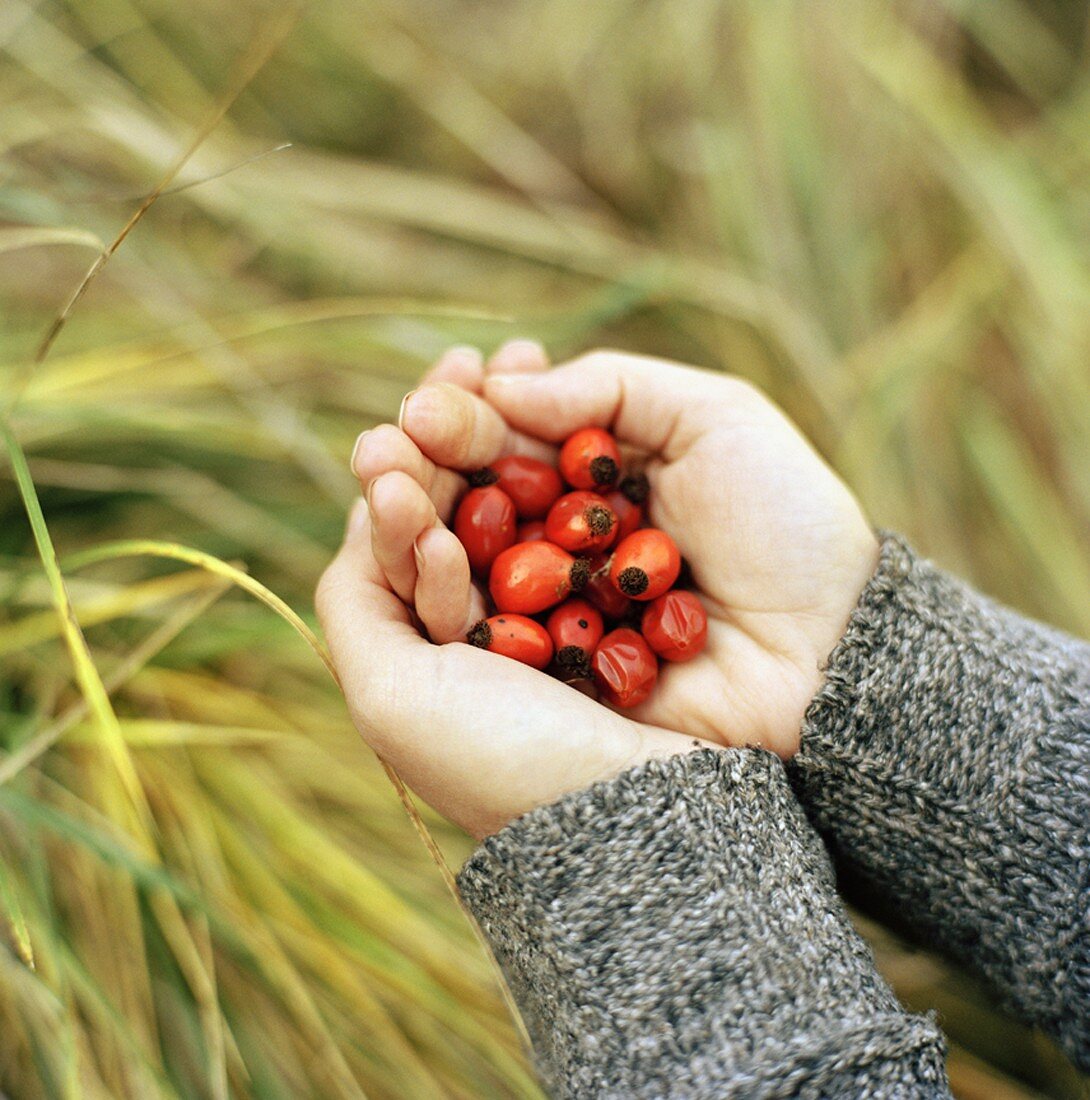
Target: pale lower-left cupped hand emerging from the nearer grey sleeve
x=480 y=738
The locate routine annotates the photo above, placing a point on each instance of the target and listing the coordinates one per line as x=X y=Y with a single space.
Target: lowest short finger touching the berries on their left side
x=446 y=599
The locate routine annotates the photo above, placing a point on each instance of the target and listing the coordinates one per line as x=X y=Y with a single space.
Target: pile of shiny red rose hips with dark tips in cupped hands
x=540 y=536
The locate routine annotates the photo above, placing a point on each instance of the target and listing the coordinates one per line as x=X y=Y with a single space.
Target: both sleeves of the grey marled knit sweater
x=677 y=931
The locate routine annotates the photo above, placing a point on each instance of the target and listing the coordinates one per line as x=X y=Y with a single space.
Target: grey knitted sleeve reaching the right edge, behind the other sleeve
x=948 y=763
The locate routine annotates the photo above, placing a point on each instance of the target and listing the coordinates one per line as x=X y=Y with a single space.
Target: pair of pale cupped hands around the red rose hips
x=779 y=551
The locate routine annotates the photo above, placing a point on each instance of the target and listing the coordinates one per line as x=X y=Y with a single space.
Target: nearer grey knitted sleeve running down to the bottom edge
x=676 y=932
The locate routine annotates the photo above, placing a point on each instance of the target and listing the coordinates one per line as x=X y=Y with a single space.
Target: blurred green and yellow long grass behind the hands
x=878 y=212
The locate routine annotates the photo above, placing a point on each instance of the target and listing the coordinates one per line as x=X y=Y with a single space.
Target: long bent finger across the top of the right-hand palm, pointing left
x=653 y=404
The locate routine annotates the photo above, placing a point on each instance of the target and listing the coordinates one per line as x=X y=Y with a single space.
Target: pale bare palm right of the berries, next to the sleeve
x=779 y=551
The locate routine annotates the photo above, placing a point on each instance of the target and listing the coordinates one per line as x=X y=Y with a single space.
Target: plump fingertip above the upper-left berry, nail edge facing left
x=463 y=432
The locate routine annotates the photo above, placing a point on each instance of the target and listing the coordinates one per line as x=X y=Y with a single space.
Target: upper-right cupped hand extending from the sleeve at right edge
x=778 y=546
